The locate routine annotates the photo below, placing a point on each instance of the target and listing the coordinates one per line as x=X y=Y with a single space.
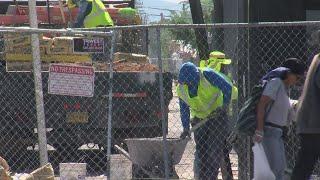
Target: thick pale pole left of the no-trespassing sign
x=38 y=85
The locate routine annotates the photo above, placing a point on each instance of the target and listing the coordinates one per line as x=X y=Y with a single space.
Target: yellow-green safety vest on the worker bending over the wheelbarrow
x=208 y=98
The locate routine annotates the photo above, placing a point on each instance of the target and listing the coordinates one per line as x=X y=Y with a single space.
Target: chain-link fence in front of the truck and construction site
x=123 y=121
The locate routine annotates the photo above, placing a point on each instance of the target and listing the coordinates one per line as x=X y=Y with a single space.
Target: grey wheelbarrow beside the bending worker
x=146 y=155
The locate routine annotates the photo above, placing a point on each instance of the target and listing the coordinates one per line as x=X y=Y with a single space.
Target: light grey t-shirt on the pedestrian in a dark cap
x=280 y=108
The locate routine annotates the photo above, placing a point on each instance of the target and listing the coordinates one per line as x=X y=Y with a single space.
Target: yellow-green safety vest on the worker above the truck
x=98 y=16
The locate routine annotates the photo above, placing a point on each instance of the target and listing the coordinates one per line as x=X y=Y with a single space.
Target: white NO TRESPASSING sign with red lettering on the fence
x=71 y=80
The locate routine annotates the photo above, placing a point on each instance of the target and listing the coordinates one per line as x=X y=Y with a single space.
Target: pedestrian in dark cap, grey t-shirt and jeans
x=272 y=114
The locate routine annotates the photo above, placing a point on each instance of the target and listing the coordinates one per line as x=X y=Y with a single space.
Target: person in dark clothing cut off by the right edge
x=308 y=124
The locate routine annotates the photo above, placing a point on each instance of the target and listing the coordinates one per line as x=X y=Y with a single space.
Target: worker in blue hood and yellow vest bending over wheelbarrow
x=202 y=91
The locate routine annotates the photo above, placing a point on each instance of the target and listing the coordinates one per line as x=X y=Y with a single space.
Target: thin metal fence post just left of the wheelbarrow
x=110 y=105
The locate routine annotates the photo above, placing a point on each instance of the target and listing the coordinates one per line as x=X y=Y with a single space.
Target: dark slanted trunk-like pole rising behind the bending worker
x=201 y=33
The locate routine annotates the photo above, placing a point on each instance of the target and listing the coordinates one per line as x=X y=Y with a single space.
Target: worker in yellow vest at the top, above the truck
x=92 y=13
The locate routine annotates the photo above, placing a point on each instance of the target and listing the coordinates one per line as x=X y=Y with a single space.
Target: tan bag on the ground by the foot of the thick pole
x=43 y=173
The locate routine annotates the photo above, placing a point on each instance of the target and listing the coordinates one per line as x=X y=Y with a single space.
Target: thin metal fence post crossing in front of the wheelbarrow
x=164 y=125
